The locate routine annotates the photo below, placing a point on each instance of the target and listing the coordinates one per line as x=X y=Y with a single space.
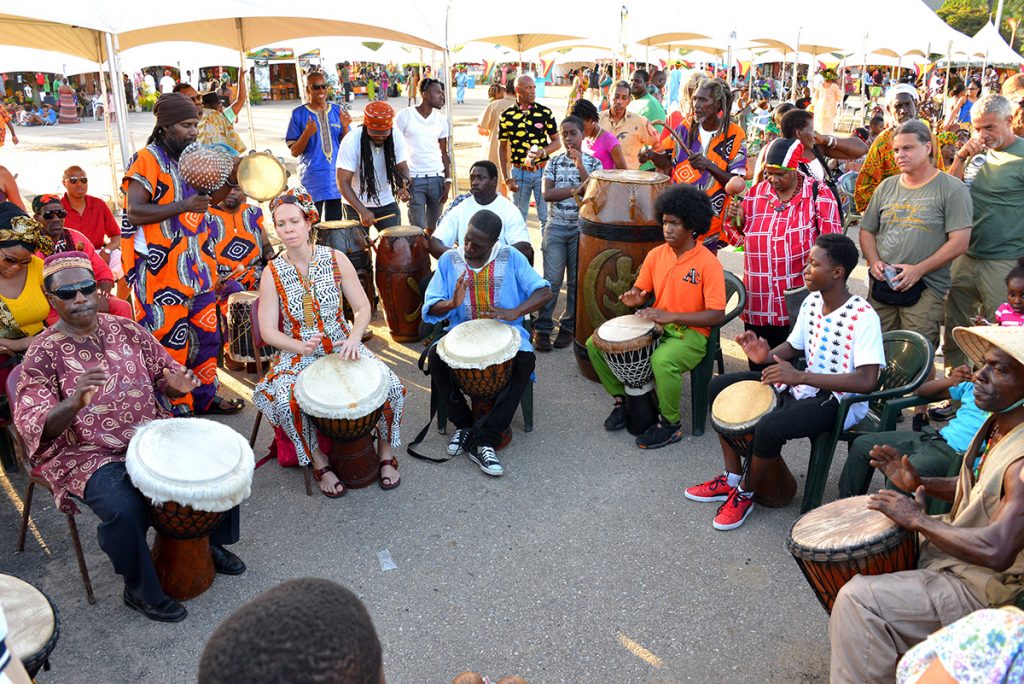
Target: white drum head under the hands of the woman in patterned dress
x=335 y=388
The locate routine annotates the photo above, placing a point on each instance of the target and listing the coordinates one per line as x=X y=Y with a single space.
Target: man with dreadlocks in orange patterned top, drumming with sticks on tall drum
x=711 y=150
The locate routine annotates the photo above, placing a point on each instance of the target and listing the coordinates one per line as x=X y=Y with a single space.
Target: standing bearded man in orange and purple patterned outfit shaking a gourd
x=169 y=254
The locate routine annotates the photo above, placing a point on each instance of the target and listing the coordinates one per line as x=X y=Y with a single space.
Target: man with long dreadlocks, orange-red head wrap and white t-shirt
x=373 y=168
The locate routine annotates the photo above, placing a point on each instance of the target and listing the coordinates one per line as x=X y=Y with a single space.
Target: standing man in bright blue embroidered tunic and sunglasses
x=314 y=136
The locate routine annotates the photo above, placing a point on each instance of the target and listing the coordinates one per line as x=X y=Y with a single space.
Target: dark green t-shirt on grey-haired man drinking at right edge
x=997 y=183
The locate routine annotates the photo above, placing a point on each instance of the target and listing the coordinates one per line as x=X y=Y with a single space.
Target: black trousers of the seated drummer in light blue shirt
x=500 y=418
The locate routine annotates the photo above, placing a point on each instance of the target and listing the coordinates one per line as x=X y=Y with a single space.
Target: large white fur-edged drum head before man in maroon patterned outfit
x=192 y=461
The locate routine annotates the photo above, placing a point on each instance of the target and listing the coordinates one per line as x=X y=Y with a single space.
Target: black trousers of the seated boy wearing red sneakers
x=792 y=419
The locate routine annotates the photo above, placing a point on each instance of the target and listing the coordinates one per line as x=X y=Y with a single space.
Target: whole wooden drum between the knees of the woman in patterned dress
x=345 y=400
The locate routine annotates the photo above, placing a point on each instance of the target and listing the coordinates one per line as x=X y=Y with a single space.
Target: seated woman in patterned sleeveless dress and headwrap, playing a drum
x=312 y=327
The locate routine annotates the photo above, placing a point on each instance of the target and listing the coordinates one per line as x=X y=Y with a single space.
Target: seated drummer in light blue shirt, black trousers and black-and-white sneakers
x=463 y=289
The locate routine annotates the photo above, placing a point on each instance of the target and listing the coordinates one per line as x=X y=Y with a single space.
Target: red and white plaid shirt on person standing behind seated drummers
x=778 y=237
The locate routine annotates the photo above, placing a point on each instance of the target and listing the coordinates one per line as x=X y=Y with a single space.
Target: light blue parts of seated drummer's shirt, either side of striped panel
x=515 y=282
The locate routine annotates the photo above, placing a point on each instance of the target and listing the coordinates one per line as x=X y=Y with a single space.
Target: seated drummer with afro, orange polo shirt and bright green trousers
x=689 y=285
